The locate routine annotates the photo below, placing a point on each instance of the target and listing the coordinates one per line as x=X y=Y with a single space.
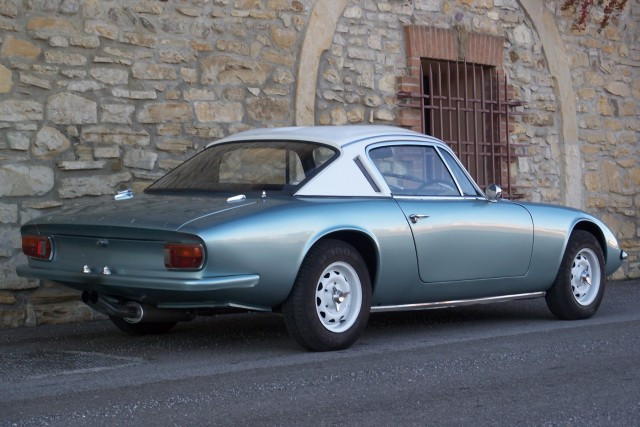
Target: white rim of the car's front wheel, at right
x=585 y=277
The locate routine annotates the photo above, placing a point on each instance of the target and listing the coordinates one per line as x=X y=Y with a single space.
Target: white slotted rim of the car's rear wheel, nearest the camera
x=338 y=297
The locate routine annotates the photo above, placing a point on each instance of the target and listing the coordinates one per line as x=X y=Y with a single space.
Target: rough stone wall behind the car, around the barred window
x=96 y=96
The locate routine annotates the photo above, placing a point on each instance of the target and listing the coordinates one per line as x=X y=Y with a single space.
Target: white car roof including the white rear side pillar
x=342 y=177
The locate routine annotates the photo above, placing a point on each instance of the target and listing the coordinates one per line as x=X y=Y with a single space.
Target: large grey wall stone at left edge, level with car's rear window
x=20 y=180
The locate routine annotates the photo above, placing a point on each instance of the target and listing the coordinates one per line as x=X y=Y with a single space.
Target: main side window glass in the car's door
x=414 y=170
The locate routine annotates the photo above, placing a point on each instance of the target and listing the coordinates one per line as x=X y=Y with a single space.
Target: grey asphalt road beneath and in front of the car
x=501 y=364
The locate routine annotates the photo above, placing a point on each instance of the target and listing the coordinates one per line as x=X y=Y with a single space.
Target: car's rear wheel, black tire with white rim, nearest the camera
x=304 y=309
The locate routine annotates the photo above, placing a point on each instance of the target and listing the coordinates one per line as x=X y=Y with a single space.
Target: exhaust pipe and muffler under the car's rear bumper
x=134 y=312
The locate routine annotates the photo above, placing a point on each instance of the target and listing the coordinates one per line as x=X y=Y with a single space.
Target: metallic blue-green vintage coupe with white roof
x=324 y=225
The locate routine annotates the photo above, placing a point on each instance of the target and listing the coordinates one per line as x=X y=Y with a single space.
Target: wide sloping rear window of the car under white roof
x=248 y=166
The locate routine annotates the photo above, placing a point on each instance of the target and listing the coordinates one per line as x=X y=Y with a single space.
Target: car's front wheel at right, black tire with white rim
x=571 y=297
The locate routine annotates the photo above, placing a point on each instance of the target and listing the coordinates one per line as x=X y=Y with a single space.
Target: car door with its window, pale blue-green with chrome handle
x=458 y=233
